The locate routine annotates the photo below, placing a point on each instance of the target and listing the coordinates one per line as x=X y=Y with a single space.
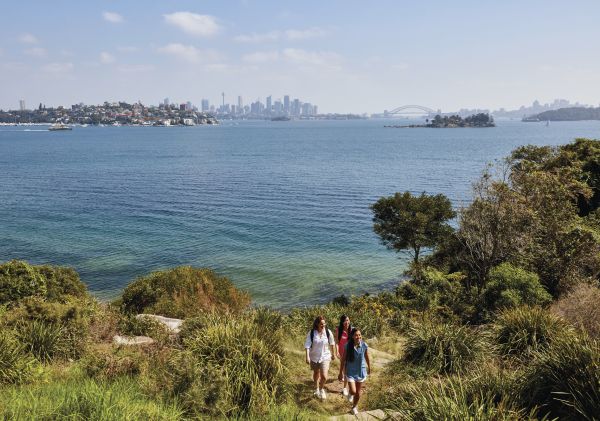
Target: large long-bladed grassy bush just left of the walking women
x=229 y=366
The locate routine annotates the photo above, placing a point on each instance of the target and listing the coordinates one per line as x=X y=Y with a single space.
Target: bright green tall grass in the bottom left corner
x=83 y=400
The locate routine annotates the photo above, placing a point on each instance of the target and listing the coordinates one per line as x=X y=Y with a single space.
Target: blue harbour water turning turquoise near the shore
x=282 y=208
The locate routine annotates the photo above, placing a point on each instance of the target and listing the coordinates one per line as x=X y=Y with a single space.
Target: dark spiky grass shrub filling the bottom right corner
x=564 y=380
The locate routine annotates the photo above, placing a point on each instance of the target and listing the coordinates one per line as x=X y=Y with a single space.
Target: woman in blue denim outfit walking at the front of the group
x=357 y=366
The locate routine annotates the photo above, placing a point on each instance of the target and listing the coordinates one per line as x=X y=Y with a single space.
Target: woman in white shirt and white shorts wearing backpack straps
x=320 y=351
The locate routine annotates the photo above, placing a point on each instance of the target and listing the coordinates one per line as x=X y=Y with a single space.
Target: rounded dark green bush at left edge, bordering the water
x=19 y=279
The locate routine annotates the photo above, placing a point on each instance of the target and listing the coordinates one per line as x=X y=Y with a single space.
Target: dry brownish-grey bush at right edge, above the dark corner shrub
x=581 y=307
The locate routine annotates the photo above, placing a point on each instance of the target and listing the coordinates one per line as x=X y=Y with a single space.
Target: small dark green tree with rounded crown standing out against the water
x=407 y=222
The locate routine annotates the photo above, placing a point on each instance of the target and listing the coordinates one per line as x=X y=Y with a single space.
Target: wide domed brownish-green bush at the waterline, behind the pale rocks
x=182 y=292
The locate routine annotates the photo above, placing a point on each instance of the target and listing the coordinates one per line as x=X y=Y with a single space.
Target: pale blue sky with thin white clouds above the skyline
x=343 y=55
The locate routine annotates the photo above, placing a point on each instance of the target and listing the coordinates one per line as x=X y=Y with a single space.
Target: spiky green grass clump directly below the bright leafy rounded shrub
x=522 y=331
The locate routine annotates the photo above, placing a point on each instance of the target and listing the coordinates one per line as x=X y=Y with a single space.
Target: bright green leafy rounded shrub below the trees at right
x=510 y=287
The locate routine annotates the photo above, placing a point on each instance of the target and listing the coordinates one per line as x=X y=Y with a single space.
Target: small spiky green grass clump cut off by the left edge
x=15 y=365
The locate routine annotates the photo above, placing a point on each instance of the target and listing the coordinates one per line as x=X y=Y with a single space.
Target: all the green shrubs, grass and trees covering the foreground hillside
x=498 y=318
